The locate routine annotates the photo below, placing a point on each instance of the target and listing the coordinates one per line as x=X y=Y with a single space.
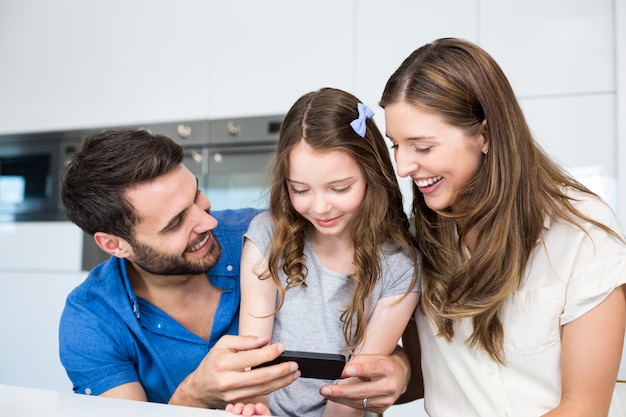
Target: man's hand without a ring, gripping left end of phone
x=225 y=375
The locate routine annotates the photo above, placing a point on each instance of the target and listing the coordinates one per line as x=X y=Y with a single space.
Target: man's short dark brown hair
x=110 y=162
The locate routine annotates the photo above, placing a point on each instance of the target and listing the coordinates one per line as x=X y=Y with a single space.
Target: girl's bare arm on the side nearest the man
x=258 y=302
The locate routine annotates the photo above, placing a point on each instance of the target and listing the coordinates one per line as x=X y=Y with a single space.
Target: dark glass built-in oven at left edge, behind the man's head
x=30 y=168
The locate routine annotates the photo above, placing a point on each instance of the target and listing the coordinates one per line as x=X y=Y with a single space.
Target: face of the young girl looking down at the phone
x=326 y=188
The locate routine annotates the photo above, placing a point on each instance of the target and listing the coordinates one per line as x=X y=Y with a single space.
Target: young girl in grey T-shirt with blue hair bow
x=331 y=267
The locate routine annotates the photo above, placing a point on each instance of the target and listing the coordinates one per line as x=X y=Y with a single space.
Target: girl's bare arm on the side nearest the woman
x=384 y=330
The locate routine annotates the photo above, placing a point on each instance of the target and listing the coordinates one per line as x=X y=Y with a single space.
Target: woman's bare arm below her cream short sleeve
x=590 y=356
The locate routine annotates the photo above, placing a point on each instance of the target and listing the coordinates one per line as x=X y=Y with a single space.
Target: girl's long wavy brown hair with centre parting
x=322 y=119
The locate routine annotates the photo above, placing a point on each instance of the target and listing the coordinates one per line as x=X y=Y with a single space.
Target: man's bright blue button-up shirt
x=109 y=337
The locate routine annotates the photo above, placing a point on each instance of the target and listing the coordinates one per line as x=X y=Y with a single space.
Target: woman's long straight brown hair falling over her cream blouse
x=502 y=208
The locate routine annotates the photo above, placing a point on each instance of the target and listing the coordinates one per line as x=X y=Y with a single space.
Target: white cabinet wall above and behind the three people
x=88 y=63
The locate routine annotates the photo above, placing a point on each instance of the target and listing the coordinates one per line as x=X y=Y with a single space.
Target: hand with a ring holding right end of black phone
x=381 y=380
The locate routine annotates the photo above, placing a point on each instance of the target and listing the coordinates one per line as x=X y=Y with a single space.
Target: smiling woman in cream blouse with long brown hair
x=523 y=304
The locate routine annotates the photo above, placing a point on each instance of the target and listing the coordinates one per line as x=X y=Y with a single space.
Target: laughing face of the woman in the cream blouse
x=439 y=157
